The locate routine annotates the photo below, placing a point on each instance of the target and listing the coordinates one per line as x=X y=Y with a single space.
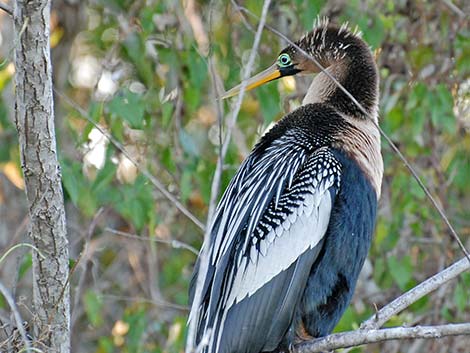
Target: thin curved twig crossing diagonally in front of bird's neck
x=389 y=141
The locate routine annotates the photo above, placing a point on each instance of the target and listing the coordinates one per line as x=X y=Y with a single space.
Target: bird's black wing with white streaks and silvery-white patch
x=266 y=234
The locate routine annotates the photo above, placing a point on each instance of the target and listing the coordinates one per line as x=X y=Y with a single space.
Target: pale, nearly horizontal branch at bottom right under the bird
x=360 y=337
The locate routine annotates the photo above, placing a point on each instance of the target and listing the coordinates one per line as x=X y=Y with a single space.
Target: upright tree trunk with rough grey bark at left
x=35 y=125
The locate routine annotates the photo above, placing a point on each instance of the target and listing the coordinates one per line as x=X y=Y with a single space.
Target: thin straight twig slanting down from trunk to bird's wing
x=158 y=185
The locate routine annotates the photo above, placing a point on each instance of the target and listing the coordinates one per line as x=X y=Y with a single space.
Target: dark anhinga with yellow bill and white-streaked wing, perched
x=294 y=226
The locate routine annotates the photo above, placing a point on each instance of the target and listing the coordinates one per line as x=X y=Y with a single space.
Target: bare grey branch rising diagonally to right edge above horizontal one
x=416 y=293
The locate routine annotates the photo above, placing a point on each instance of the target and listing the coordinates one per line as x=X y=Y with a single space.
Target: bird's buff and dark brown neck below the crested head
x=360 y=137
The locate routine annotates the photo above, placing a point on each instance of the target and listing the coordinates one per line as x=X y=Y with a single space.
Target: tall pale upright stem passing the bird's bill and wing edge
x=203 y=257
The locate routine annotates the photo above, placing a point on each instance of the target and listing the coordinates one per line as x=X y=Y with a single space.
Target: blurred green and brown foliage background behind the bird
x=141 y=70
